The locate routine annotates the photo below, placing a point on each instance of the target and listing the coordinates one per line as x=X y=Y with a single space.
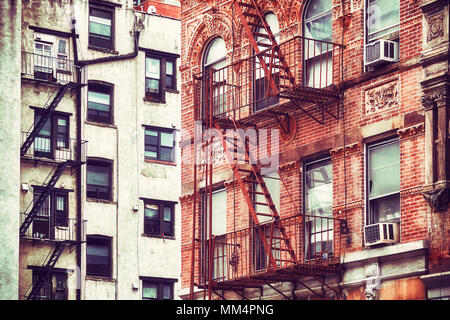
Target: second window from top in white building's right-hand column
x=160 y=144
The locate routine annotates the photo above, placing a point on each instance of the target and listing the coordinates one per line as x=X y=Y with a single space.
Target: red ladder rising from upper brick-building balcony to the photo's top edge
x=276 y=66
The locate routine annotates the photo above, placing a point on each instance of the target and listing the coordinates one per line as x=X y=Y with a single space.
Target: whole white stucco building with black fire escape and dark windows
x=99 y=167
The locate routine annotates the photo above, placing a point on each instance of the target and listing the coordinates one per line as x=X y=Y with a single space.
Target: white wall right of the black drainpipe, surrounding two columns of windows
x=133 y=254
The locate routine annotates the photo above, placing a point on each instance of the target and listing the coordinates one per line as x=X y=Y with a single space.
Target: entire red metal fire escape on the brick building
x=223 y=100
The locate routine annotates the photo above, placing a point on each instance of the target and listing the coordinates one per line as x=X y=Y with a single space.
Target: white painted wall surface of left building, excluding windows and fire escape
x=134 y=256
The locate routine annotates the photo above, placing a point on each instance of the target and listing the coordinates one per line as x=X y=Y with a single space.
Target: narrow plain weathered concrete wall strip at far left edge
x=10 y=25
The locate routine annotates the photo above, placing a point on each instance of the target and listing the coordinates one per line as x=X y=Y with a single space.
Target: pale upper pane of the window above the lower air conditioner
x=384 y=171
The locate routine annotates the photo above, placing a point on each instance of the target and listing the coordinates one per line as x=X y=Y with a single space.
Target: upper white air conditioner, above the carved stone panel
x=380 y=52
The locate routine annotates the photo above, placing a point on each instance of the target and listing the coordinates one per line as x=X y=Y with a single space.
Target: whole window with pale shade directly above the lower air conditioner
x=383 y=193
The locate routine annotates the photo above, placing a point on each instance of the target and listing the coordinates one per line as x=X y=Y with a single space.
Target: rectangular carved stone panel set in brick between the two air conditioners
x=381 y=98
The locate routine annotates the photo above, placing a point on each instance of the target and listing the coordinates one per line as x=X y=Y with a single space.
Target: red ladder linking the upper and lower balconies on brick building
x=275 y=225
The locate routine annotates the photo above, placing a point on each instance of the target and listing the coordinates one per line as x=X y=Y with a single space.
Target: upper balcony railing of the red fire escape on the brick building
x=242 y=88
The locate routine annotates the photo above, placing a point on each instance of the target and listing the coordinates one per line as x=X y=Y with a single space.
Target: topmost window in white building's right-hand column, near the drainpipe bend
x=160 y=76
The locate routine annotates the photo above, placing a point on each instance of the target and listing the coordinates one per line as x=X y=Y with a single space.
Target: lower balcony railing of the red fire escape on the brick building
x=239 y=255
